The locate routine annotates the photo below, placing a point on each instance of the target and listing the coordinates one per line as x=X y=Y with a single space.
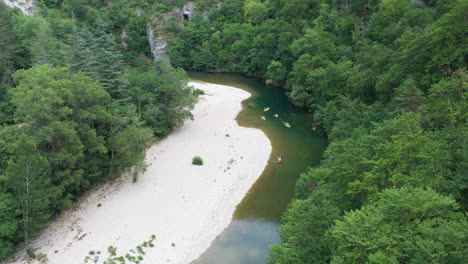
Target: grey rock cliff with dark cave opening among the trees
x=158 y=29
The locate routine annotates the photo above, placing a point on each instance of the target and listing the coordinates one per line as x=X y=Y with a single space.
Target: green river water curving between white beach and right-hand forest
x=256 y=221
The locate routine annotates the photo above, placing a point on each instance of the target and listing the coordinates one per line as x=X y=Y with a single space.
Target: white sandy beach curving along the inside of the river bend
x=178 y=202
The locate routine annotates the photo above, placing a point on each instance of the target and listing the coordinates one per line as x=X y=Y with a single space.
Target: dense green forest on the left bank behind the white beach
x=76 y=110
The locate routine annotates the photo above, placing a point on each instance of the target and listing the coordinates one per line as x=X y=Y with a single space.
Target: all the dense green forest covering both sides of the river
x=386 y=81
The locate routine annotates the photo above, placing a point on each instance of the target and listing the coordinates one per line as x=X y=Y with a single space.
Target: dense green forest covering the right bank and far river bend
x=387 y=82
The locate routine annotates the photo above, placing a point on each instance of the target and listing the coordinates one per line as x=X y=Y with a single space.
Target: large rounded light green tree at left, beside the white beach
x=68 y=123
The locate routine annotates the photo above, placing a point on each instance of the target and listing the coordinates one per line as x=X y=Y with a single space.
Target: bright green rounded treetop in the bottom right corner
x=407 y=225
